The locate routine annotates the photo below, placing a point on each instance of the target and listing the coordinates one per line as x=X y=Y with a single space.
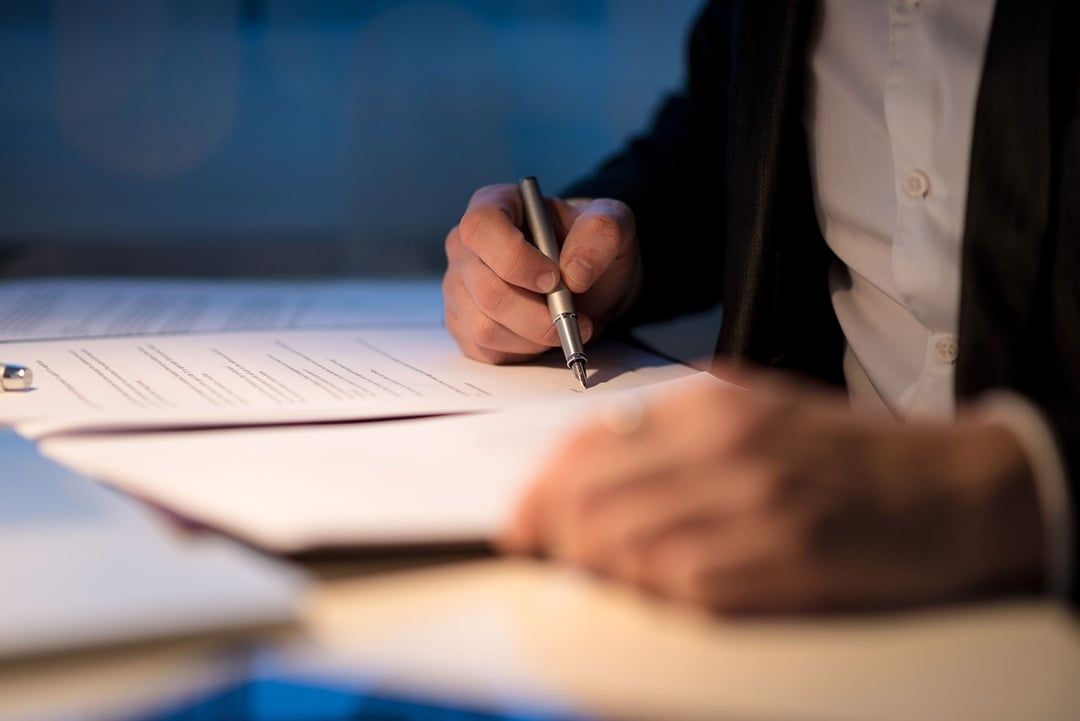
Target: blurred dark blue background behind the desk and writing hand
x=303 y=138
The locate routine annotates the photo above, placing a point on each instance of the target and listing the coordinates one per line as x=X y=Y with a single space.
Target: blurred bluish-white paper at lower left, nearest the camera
x=85 y=567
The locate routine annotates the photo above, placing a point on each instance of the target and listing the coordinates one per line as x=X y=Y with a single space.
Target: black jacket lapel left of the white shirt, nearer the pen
x=776 y=285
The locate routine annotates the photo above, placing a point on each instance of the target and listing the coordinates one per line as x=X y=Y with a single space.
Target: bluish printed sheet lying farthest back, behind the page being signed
x=92 y=308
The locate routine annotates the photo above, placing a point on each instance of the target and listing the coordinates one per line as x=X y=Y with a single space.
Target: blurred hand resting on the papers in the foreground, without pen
x=778 y=499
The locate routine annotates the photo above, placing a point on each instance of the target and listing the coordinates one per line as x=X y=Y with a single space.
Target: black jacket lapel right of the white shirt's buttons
x=1008 y=215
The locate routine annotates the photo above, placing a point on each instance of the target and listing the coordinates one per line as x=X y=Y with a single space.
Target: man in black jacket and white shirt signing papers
x=885 y=195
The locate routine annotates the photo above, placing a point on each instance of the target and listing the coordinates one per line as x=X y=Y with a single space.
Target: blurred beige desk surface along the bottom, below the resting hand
x=493 y=632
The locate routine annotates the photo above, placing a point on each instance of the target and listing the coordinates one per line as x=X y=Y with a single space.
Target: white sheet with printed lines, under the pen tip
x=288 y=377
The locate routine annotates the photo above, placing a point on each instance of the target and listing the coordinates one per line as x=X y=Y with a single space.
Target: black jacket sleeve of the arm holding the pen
x=673 y=180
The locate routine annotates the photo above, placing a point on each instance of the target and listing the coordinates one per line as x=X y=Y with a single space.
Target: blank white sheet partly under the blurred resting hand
x=411 y=482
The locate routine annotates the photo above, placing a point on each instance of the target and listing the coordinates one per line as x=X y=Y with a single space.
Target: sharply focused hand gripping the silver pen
x=495 y=280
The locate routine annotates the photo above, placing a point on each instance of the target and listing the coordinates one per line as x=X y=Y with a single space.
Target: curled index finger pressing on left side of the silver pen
x=491 y=229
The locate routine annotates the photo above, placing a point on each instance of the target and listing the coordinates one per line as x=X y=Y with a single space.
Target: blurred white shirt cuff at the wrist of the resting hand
x=1037 y=440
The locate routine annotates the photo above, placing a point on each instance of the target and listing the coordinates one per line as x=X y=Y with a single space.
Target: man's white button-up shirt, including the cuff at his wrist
x=890 y=113
